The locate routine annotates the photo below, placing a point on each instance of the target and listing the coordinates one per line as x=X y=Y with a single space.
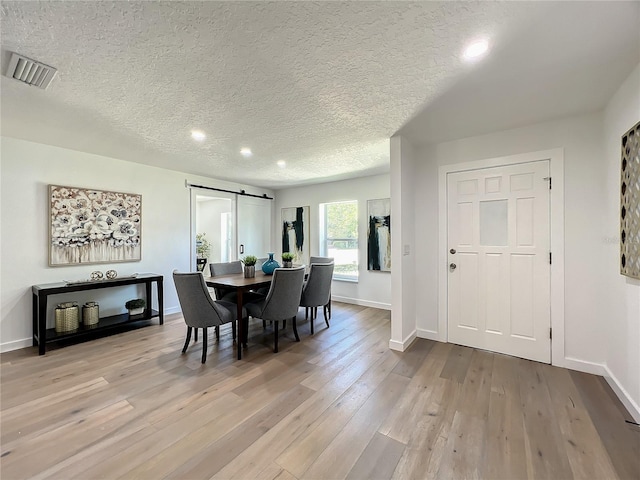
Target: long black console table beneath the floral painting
x=42 y=335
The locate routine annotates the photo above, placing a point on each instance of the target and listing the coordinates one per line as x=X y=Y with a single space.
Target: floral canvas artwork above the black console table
x=93 y=226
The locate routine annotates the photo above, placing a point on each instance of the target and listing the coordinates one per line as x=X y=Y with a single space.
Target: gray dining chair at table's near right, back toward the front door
x=282 y=301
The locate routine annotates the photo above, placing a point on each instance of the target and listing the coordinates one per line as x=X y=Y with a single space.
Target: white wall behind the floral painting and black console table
x=27 y=169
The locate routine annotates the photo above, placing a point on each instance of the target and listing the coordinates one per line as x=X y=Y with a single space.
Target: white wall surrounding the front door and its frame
x=581 y=139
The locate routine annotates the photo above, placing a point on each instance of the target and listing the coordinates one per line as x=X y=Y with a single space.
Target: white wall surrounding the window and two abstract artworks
x=373 y=288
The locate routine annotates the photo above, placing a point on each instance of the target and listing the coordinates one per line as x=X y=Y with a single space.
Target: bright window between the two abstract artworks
x=339 y=237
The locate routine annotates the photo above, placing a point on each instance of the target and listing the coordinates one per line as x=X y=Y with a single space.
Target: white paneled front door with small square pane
x=499 y=259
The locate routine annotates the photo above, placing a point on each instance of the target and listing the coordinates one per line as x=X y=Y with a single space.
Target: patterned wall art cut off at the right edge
x=630 y=203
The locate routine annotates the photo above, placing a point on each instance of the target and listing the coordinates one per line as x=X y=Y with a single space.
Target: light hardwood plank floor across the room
x=339 y=404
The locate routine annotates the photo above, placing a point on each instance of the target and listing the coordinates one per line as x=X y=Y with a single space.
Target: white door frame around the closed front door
x=556 y=166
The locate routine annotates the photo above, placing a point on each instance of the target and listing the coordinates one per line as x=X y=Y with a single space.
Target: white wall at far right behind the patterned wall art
x=621 y=295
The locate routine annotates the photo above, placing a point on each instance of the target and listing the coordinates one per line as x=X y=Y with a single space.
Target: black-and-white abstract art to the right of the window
x=379 y=234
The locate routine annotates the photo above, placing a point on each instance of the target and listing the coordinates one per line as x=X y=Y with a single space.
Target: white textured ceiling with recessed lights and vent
x=320 y=85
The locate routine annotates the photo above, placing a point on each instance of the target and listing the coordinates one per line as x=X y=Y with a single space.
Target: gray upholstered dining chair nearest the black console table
x=200 y=310
